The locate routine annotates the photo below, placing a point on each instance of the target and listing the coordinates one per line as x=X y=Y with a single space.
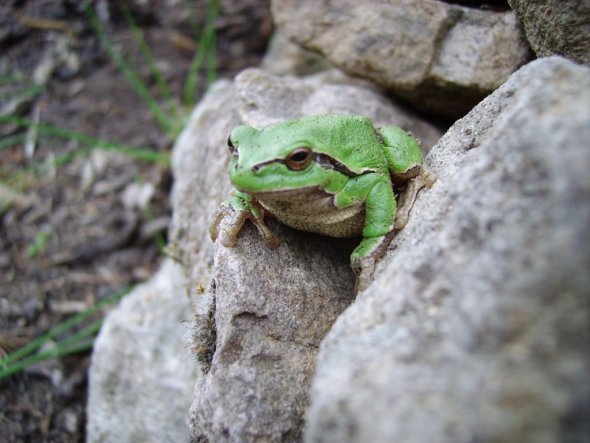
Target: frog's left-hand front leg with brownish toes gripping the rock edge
x=231 y=216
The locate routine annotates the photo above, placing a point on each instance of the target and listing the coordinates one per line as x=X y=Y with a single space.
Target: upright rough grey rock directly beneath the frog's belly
x=271 y=308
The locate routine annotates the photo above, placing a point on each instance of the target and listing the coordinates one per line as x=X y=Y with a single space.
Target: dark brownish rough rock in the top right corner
x=556 y=27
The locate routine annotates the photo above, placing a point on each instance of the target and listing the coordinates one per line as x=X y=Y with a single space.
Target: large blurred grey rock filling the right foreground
x=476 y=327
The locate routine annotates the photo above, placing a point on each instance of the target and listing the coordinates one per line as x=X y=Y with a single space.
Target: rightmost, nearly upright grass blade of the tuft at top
x=206 y=42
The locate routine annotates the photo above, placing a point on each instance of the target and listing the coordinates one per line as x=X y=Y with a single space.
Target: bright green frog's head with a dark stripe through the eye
x=279 y=158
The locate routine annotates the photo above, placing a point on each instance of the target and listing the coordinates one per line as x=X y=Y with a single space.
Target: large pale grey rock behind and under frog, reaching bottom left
x=273 y=304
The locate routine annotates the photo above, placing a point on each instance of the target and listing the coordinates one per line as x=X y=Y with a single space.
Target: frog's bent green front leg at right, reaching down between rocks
x=380 y=209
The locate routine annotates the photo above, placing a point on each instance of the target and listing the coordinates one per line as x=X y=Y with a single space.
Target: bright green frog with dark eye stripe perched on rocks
x=334 y=175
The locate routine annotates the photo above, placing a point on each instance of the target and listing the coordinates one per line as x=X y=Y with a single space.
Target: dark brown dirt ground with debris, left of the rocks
x=76 y=229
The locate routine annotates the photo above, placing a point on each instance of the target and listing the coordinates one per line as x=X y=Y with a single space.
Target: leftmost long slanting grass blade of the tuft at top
x=130 y=75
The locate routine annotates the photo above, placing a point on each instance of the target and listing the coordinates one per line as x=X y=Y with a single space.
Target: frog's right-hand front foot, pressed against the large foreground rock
x=365 y=257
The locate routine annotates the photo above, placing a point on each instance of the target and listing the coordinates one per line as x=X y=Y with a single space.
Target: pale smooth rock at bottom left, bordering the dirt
x=141 y=373
